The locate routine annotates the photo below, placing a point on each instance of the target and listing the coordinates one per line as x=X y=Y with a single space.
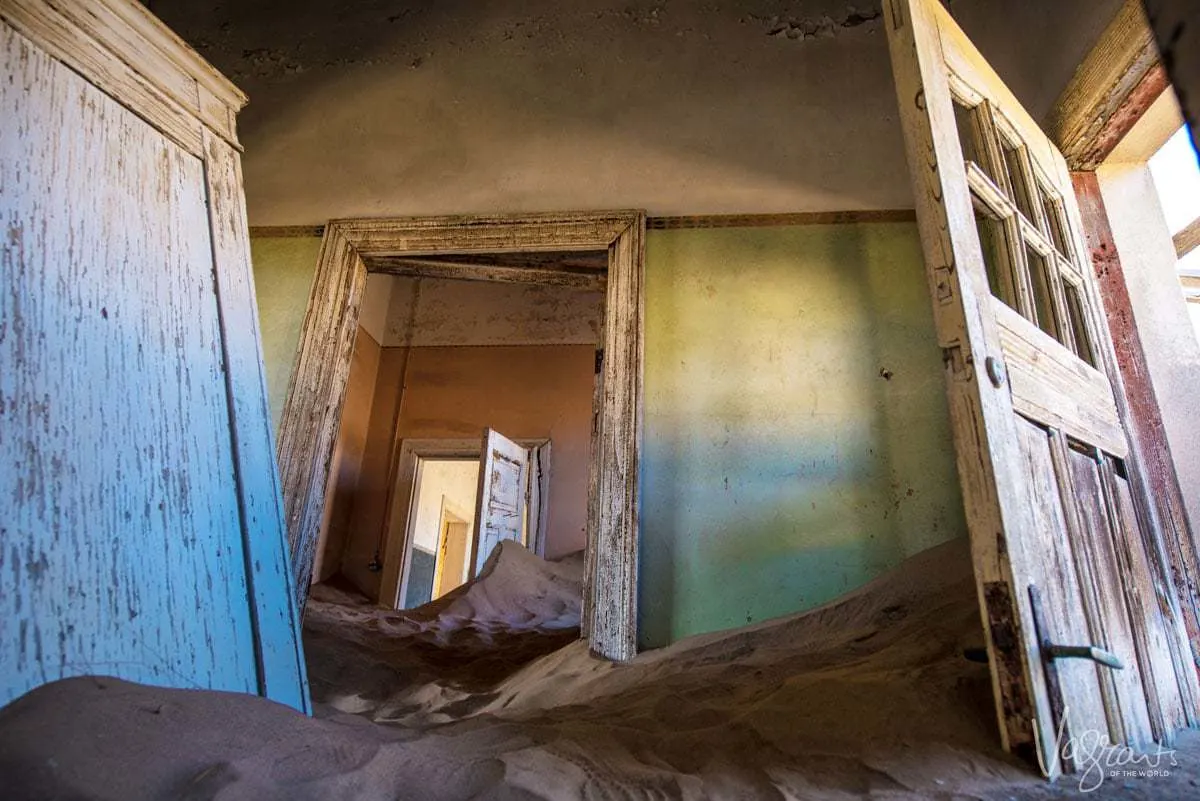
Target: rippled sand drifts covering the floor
x=487 y=695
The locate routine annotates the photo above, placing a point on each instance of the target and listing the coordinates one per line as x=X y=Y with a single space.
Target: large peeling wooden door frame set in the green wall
x=353 y=249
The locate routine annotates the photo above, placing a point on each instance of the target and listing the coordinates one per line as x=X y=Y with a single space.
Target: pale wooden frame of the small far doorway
x=403 y=492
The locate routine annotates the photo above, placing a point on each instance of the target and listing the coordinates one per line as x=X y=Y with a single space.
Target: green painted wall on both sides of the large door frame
x=797 y=439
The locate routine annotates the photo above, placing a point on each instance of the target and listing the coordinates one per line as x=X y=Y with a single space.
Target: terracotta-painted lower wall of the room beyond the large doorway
x=454 y=393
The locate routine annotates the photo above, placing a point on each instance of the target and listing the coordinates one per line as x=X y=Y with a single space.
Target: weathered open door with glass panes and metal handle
x=1084 y=636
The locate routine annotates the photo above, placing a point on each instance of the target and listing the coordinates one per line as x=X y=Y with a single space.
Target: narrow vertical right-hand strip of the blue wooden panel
x=274 y=616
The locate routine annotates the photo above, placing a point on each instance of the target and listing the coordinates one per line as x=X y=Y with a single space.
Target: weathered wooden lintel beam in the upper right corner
x=1112 y=88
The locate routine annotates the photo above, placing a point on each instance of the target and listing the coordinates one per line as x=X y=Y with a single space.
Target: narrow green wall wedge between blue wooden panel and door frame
x=284 y=272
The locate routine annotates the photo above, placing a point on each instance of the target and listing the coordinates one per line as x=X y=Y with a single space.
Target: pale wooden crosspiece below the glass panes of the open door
x=1055 y=387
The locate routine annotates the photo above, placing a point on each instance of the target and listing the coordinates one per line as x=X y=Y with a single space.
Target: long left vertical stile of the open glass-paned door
x=988 y=456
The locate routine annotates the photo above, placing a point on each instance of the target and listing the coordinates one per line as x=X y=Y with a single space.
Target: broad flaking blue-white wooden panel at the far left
x=121 y=509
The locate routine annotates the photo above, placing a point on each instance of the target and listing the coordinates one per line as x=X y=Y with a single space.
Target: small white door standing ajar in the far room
x=503 y=495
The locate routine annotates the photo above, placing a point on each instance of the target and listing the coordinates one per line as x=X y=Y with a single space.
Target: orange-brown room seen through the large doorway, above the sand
x=436 y=363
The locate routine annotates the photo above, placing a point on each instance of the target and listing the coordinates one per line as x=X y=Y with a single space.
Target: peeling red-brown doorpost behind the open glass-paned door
x=1156 y=468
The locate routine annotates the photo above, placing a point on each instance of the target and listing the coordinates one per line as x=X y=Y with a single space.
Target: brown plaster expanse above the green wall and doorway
x=394 y=107
